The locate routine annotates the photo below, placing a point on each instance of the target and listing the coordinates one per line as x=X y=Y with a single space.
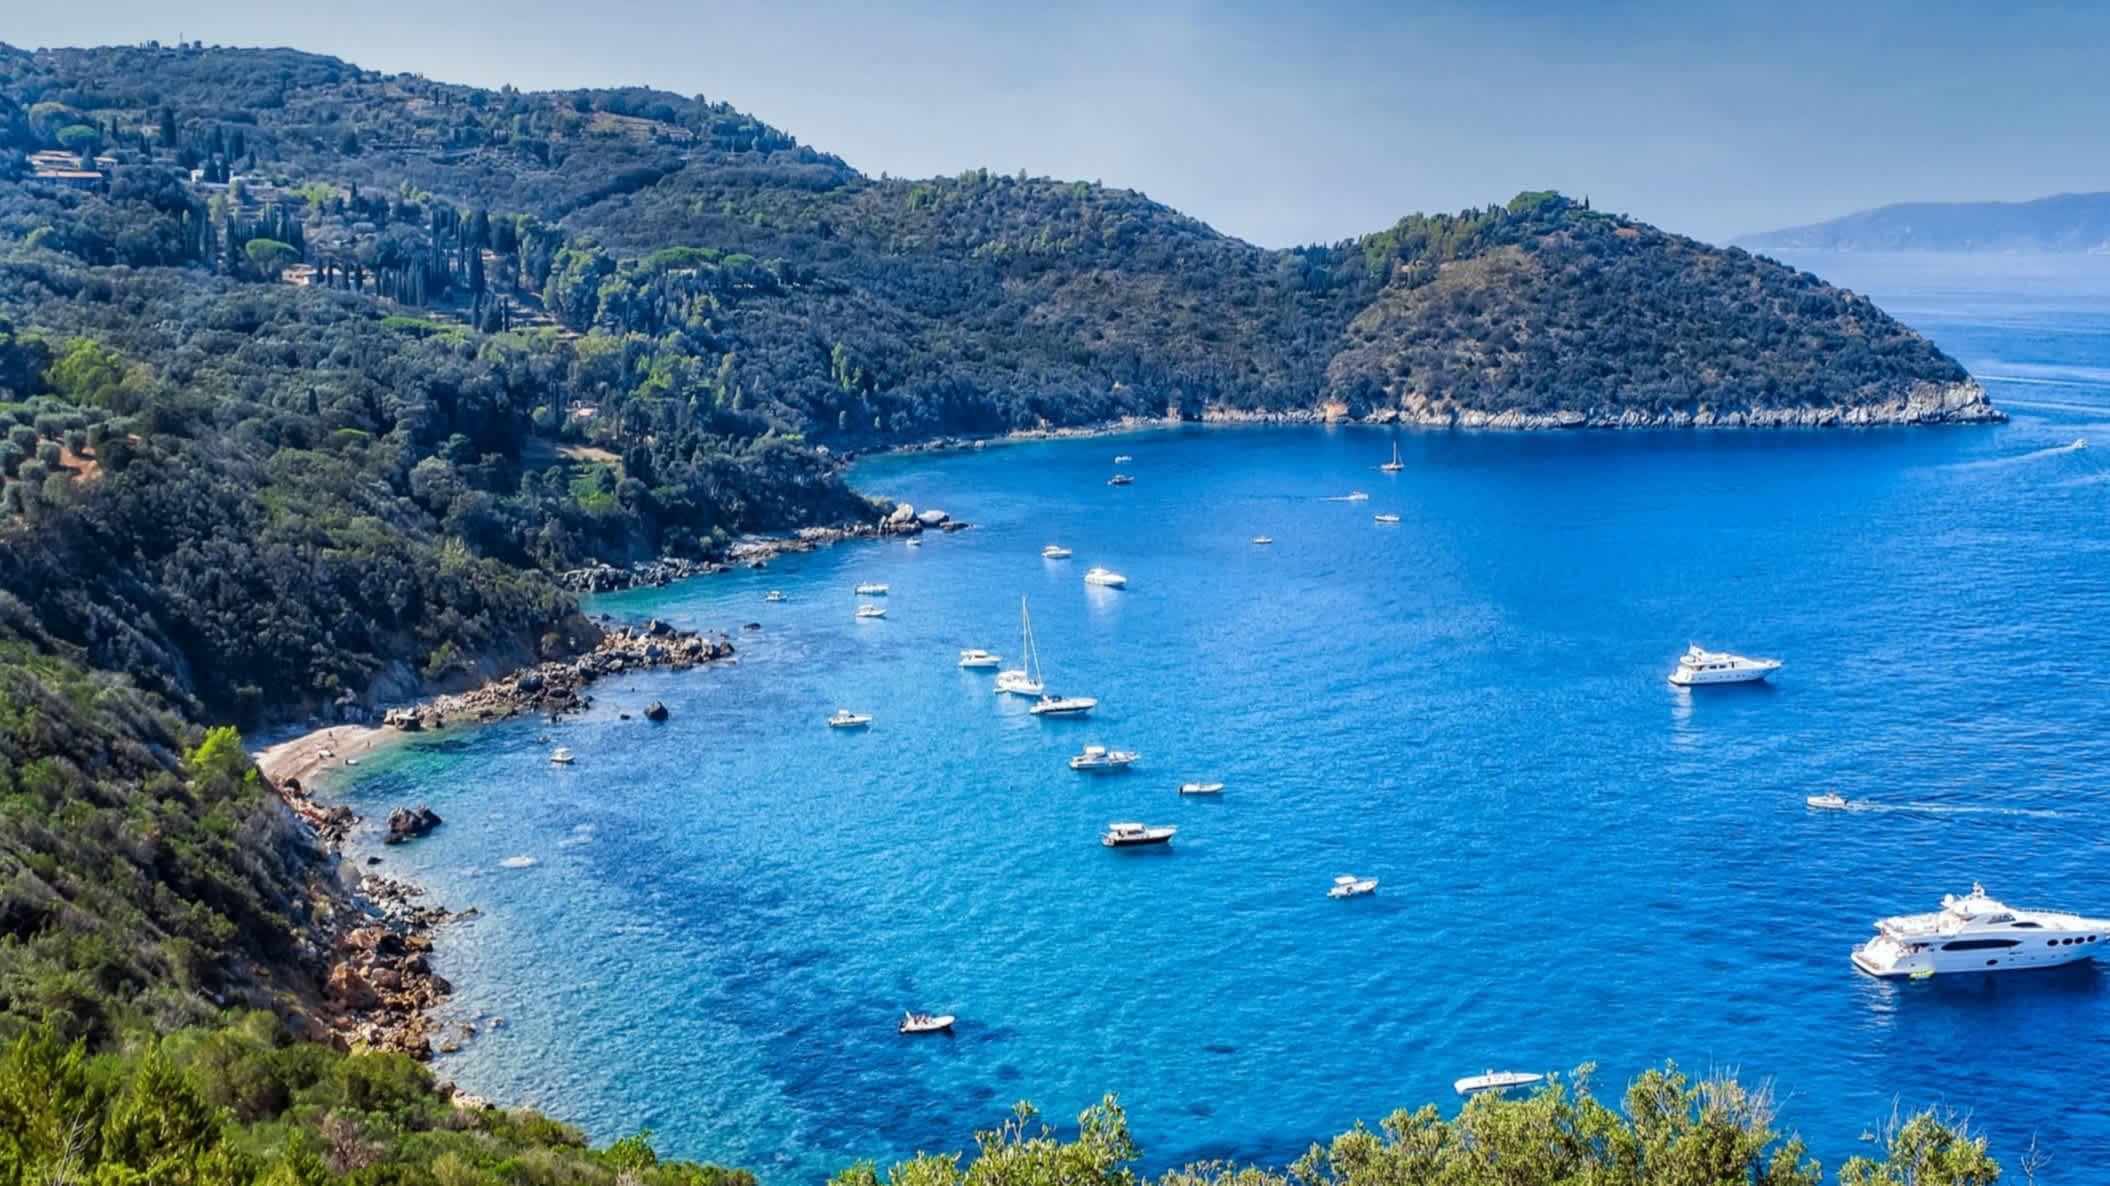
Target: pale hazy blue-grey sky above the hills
x=1294 y=123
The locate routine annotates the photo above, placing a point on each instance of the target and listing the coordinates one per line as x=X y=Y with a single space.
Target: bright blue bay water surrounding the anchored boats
x=1581 y=864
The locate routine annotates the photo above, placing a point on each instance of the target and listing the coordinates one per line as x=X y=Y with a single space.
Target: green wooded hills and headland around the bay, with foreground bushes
x=313 y=379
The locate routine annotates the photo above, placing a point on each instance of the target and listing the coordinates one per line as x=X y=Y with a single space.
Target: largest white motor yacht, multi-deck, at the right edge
x=1976 y=934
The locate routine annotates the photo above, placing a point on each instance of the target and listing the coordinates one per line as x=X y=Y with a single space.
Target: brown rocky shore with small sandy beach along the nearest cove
x=377 y=987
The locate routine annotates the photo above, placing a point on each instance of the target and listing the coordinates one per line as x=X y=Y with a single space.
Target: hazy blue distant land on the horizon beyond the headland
x=2063 y=225
